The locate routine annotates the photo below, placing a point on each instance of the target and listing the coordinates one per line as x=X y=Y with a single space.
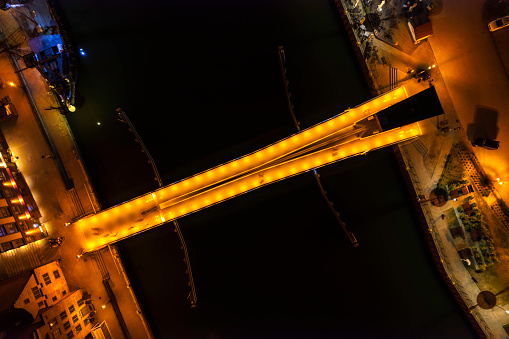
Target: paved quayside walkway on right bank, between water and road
x=389 y=63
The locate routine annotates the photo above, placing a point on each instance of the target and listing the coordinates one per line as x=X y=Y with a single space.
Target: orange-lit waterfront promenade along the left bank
x=39 y=131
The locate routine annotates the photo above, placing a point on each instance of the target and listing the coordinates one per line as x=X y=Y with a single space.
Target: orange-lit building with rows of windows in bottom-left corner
x=38 y=304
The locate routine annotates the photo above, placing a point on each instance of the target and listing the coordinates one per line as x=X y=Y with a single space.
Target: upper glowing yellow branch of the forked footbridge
x=165 y=195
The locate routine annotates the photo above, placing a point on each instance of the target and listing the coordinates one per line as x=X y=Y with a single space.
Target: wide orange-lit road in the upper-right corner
x=476 y=79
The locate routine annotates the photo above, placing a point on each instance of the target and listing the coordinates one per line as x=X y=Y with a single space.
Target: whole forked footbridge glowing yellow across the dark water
x=353 y=132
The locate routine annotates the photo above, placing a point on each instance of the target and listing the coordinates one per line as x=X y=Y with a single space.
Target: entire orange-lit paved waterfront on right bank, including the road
x=388 y=64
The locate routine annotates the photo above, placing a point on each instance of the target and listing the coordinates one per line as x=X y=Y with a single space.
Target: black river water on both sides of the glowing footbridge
x=200 y=80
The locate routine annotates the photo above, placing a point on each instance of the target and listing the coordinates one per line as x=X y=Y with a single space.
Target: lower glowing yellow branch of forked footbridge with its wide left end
x=103 y=229
